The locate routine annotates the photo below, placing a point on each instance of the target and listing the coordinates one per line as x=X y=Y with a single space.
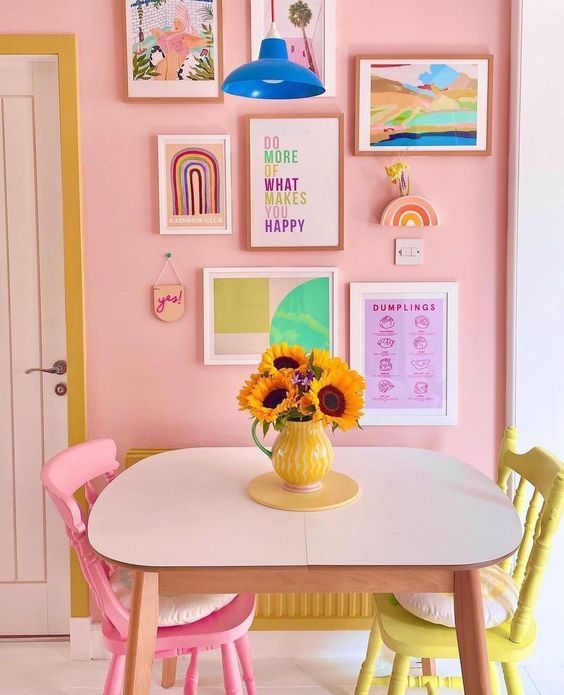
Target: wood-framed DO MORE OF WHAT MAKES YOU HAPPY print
x=295 y=190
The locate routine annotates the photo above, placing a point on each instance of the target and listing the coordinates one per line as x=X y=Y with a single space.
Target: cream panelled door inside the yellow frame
x=34 y=556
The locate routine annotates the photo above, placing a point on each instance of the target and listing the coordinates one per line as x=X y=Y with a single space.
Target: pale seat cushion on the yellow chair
x=499 y=592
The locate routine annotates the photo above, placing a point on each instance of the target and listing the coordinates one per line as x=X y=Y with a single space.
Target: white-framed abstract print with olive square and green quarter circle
x=248 y=309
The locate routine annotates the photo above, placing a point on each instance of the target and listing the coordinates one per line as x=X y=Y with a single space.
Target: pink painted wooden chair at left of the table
x=227 y=628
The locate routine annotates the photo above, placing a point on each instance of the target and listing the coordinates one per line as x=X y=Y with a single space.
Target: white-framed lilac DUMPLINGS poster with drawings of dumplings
x=404 y=342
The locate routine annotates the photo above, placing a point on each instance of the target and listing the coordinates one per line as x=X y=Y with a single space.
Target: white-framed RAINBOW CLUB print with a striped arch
x=194 y=184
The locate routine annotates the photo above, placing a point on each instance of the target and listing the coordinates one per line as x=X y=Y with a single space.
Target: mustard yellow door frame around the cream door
x=64 y=46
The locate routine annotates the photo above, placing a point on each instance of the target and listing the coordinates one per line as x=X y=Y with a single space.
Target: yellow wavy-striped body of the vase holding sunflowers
x=302 y=455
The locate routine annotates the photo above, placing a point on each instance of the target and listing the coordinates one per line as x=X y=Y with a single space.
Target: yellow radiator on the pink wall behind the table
x=299 y=611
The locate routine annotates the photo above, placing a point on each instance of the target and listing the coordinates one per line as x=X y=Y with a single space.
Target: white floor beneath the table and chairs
x=45 y=669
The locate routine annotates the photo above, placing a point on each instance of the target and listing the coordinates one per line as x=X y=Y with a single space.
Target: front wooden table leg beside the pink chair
x=143 y=618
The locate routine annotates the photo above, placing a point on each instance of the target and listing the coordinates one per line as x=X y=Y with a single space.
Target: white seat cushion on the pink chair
x=173 y=609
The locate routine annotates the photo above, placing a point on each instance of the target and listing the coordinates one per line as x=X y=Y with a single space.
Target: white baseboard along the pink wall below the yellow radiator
x=271 y=644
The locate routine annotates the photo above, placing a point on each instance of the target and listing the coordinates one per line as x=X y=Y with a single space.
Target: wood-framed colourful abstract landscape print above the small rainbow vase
x=423 y=105
